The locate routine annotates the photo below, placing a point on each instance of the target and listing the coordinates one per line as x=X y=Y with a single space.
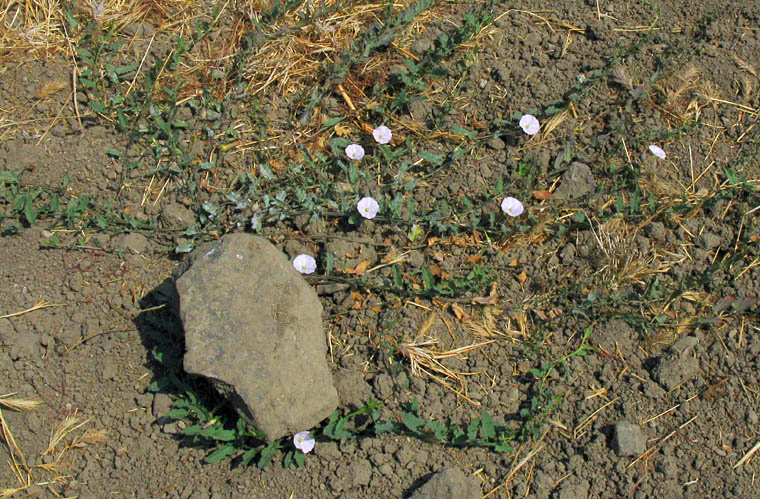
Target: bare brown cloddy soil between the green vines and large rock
x=528 y=58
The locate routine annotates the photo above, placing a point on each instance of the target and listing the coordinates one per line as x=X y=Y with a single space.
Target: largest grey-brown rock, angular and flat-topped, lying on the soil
x=253 y=326
